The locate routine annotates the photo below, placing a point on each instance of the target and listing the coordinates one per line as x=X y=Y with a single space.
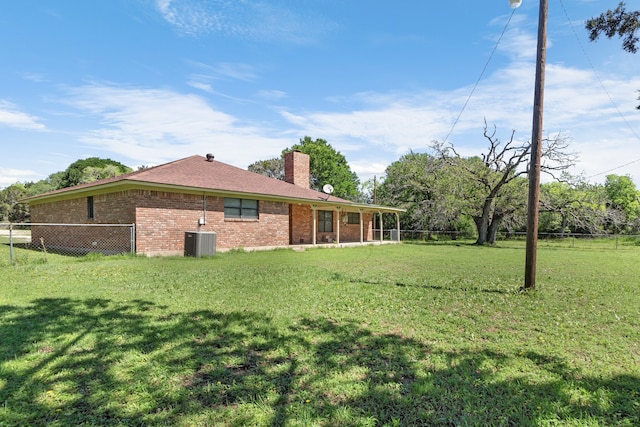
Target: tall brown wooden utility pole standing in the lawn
x=536 y=152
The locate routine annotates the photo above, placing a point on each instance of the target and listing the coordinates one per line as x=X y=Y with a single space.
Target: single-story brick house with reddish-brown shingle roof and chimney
x=244 y=209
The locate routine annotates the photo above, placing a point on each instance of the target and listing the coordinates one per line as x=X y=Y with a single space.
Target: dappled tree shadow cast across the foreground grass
x=100 y=362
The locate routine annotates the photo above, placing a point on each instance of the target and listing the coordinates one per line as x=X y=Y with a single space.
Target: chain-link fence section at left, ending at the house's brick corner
x=67 y=239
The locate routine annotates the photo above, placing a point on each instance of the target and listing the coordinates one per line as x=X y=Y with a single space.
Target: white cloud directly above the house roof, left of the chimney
x=155 y=126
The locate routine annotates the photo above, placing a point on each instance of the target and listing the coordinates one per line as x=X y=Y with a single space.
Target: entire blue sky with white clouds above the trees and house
x=145 y=82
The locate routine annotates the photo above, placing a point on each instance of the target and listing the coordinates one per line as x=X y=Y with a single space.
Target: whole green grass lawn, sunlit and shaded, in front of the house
x=389 y=335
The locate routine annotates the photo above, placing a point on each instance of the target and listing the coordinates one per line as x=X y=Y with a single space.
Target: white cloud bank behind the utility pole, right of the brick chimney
x=575 y=104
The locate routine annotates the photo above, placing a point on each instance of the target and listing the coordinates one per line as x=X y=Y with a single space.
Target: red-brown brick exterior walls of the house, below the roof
x=162 y=218
